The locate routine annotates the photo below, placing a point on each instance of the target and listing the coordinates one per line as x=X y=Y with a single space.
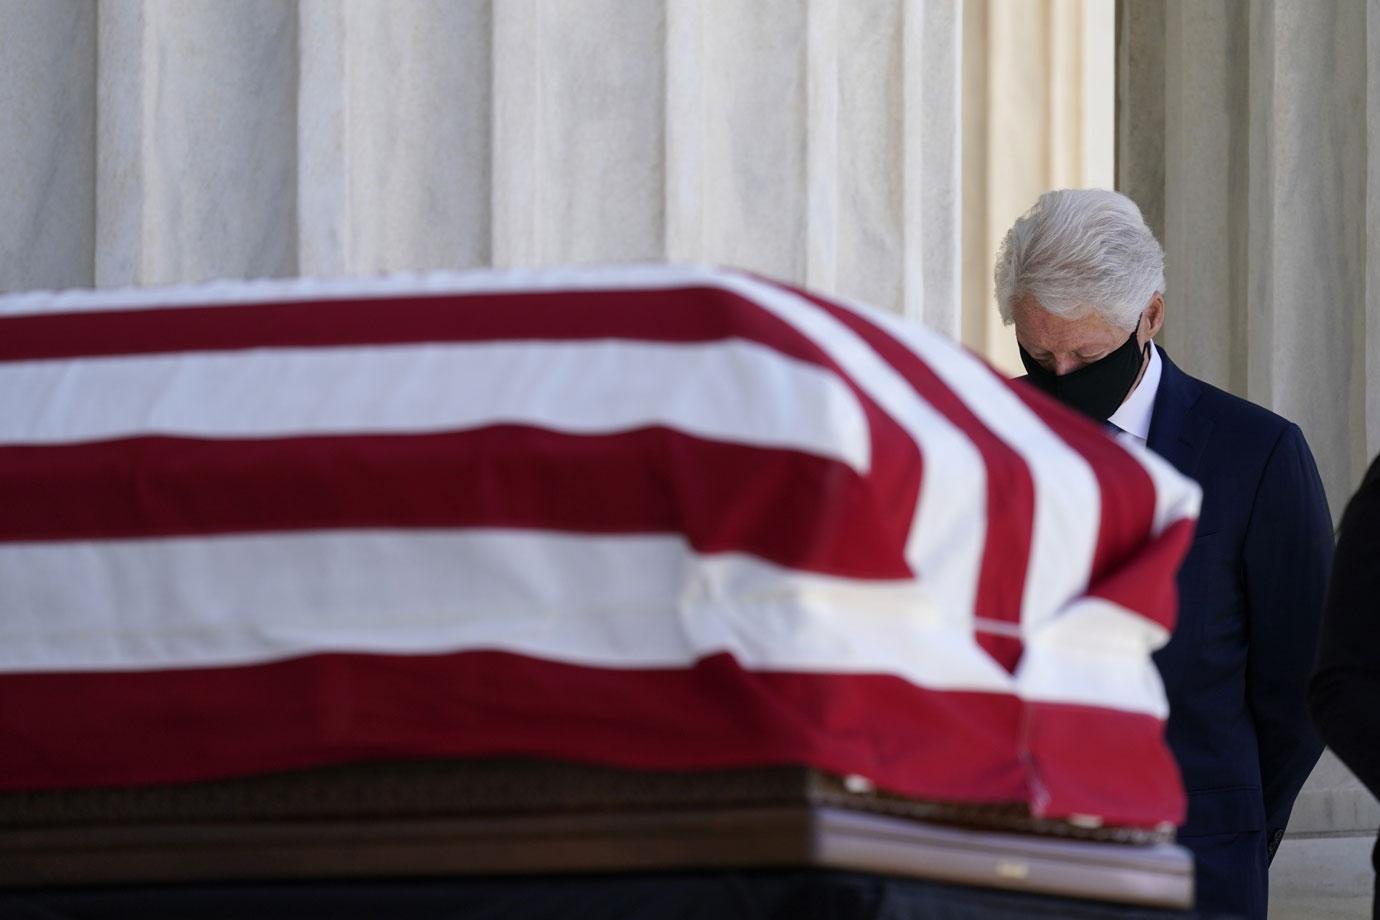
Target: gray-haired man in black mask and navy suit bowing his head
x=1083 y=279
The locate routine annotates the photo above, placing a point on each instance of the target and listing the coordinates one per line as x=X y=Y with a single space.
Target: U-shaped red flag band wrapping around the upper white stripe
x=653 y=481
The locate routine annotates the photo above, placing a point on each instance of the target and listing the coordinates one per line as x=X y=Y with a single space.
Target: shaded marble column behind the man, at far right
x=1250 y=134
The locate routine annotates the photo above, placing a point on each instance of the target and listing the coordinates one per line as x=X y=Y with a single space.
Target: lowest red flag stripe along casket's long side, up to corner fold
x=176 y=726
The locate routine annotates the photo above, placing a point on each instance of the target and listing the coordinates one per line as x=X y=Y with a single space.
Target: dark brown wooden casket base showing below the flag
x=502 y=817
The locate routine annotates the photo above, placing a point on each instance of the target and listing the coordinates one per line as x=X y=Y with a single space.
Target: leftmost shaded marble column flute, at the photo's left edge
x=48 y=108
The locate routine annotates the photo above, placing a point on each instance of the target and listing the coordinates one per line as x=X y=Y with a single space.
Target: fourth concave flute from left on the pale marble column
x=580 y=126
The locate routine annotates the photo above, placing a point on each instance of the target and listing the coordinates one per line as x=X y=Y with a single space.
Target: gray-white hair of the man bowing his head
x=1081 y=249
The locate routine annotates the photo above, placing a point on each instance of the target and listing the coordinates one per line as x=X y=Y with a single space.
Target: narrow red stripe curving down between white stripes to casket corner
x=1011 y=492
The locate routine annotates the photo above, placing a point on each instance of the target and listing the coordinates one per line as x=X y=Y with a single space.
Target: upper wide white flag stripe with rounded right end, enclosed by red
x=732 y=391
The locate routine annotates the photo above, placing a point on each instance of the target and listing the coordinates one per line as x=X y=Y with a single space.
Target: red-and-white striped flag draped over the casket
x=649 y=518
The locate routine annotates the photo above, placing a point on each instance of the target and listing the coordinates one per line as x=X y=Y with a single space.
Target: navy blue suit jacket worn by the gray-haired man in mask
x=1251 y=597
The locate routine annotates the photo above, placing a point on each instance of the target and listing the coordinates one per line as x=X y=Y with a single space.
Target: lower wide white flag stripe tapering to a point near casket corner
x=615 y=602
